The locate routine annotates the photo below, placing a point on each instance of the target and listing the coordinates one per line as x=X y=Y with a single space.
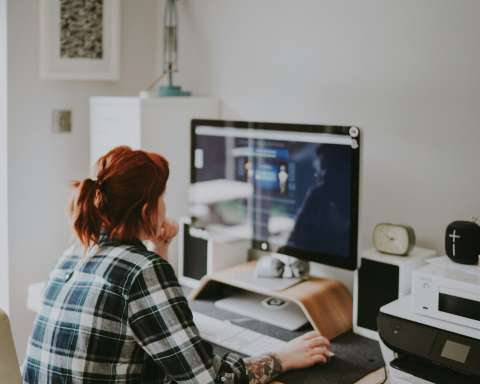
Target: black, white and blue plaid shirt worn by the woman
x=118 y=315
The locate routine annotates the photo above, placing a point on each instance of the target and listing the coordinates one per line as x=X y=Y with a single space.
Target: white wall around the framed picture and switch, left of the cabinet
x=42 y=163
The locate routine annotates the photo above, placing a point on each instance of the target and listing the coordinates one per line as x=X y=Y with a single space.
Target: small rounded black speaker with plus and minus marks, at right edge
x=462 y=242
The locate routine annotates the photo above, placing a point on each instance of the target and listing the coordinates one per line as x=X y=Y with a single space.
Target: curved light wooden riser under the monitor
x=326 y=303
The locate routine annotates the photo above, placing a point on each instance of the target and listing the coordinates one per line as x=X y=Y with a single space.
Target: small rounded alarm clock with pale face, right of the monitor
x=394 y=239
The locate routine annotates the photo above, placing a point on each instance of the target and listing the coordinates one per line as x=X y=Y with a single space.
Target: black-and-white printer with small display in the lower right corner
x=432 y=336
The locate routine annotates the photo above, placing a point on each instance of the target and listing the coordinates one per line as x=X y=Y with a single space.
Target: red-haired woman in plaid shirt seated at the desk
x=113 y=311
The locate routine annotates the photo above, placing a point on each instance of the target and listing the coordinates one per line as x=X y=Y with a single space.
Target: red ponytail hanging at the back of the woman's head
x=86 y=218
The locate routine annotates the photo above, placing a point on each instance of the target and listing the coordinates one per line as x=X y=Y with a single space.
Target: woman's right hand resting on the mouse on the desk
x=304 y=351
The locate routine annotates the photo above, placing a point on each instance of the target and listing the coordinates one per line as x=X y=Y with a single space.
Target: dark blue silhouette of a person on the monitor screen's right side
x=322 y=223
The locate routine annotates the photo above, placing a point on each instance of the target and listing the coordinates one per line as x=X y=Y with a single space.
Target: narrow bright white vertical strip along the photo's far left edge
x=4 y=302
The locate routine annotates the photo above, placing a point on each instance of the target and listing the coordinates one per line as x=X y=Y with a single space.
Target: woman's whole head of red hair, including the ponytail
x=123 y=201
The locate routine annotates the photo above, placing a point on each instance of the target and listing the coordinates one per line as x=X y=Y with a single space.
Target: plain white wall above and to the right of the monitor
x=406 y=72
